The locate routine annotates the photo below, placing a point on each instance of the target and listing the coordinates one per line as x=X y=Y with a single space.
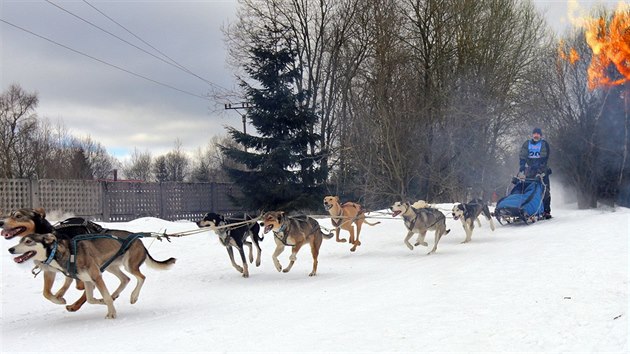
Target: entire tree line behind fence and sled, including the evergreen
x=382 y=100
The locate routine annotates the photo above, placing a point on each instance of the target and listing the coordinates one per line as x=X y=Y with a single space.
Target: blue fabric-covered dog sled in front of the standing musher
x=523 y=203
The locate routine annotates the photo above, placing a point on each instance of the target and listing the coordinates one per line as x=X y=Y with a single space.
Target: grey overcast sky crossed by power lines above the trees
x=119 y=109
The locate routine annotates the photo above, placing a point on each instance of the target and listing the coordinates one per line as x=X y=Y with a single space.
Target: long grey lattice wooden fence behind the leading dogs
x=118 y=201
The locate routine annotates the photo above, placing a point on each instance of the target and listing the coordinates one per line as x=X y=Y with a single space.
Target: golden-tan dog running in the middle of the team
x=343 y=216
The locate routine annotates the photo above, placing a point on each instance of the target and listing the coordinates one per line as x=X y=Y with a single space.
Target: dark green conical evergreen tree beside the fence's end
x=281 y=162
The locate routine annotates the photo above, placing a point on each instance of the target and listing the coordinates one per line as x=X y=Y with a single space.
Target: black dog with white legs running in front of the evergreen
x=236 y=236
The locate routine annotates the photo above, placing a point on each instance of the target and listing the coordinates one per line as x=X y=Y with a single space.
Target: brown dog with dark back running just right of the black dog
x=294 y=231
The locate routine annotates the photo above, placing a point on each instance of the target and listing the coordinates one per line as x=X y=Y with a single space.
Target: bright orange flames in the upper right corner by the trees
x=610 y=43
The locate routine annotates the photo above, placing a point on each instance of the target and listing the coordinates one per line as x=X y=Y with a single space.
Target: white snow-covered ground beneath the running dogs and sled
x=558 y=285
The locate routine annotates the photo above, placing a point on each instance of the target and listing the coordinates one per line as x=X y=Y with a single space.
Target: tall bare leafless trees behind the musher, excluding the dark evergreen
x=431 y=99
